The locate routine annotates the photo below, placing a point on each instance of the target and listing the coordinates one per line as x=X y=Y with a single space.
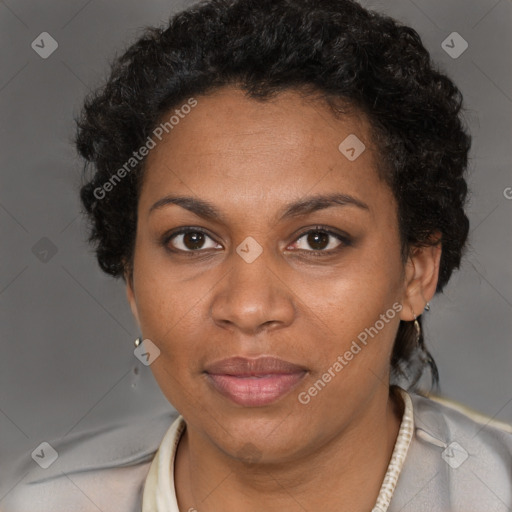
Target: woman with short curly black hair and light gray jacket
x=281 y=186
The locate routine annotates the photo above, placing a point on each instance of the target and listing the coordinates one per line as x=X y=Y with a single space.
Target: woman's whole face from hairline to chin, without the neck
x=248 y=281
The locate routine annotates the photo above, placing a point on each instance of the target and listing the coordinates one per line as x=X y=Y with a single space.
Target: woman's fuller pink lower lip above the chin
x=255 y=391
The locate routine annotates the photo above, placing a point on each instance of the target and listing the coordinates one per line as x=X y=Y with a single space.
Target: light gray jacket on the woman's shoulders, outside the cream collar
x=454 y=464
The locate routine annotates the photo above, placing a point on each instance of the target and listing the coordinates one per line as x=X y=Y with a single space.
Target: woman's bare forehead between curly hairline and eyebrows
x=291 y=144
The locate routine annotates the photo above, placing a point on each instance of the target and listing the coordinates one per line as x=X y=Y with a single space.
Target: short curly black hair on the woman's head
x=334 y=48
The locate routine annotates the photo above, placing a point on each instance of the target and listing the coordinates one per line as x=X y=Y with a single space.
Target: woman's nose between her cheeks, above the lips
x=253 y=297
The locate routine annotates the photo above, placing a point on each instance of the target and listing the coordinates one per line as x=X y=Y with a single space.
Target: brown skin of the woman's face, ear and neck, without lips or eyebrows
x=250 y=160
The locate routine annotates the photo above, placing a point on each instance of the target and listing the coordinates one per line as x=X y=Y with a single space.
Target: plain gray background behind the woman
x=67 y=332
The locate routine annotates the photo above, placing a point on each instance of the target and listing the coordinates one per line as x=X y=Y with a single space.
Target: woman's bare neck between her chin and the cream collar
x=348 y=469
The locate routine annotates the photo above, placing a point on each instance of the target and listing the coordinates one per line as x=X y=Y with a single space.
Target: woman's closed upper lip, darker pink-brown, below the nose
x=242 y=366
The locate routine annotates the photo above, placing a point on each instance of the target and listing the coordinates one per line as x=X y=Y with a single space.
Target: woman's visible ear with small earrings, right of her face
x=421 y=276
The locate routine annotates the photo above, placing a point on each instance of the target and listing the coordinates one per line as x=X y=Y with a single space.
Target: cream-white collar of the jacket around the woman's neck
x=159 y=491
